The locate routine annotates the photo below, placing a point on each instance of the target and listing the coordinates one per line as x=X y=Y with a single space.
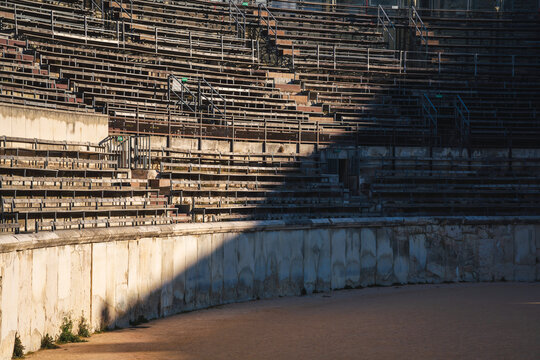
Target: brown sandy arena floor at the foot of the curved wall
x=460 y=321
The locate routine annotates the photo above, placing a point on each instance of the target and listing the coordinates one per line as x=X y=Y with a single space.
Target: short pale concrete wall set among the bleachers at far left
x=48 y=124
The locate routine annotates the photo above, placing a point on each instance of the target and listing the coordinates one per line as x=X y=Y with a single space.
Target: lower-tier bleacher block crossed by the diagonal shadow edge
x=217 y=185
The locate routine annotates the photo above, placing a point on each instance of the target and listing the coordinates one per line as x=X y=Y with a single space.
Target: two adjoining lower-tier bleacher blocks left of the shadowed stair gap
x=53 y=185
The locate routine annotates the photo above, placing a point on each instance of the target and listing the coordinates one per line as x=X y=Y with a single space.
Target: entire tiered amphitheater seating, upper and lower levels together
x=304 y=75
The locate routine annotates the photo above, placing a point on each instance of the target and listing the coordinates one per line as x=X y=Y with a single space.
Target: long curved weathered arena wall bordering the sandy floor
x=114 y=276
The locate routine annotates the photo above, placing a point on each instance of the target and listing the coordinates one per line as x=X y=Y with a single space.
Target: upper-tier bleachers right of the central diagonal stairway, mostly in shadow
x=393 y=82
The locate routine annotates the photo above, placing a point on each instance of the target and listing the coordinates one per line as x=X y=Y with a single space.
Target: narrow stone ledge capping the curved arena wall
x=72 y=237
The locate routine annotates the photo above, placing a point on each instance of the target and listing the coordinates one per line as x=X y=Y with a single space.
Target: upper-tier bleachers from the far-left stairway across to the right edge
x=344 y=78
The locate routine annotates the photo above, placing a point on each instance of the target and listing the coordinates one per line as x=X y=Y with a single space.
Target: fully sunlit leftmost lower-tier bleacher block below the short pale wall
x=55 y=185
